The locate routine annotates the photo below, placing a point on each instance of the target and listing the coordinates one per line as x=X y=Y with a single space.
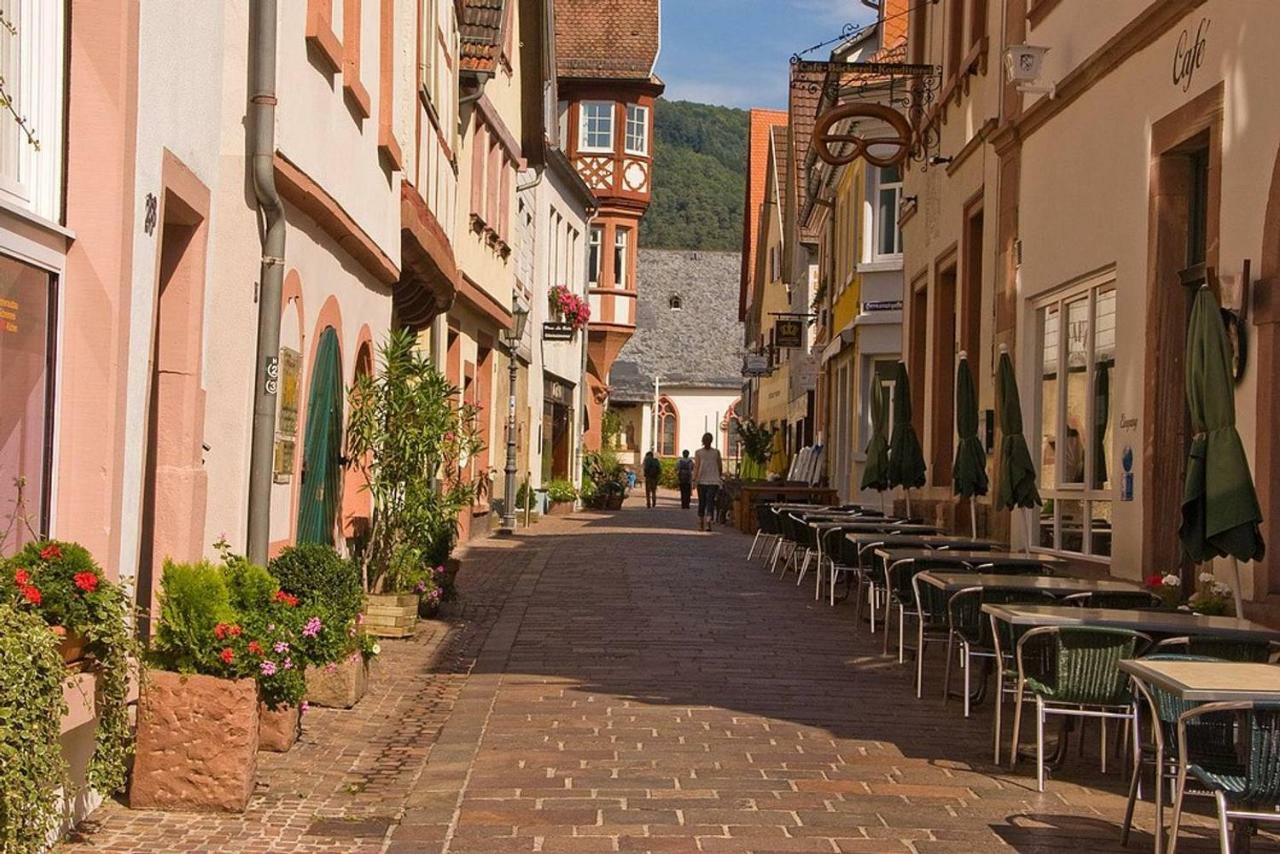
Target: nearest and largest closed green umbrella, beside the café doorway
x=1220 y=505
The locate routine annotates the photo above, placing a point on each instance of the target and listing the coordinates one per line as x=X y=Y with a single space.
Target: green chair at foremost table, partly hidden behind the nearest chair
x=1209 y=737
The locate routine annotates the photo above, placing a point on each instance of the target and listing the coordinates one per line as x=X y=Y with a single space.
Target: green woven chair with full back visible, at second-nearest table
x=1084 y=679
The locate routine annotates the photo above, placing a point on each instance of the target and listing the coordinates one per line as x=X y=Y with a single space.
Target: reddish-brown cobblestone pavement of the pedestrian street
x=621 y=683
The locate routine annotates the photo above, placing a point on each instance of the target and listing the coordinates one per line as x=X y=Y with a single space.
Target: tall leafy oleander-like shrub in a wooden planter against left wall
x=414 y=445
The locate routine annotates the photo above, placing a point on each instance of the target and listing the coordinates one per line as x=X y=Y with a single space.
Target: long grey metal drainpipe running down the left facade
x=262 y=116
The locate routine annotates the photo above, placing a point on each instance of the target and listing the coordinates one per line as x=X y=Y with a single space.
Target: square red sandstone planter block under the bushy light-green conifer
x=196 y=745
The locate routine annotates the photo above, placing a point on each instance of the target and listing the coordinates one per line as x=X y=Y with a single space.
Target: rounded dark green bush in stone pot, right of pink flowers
x=327 y=597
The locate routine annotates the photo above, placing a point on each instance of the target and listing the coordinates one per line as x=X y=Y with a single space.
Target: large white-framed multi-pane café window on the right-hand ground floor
x=1076 y=336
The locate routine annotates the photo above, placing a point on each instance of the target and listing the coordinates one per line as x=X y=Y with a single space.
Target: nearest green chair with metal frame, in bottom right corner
x=1245 y=787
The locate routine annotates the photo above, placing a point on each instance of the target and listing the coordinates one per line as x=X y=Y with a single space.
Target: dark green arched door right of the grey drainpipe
x=322 y=450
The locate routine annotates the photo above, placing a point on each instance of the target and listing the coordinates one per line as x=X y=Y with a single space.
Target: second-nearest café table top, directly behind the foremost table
x=1162 y=623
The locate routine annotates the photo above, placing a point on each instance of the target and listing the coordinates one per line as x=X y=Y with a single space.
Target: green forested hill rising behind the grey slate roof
x=700 y=179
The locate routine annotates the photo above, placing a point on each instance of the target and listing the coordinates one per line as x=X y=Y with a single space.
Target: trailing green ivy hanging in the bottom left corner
x=33 y=709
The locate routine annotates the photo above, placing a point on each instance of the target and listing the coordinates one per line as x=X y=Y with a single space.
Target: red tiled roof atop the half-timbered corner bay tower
x=607 y=39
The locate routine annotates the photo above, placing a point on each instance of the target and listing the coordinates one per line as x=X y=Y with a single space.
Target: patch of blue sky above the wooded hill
x=735 y=52
